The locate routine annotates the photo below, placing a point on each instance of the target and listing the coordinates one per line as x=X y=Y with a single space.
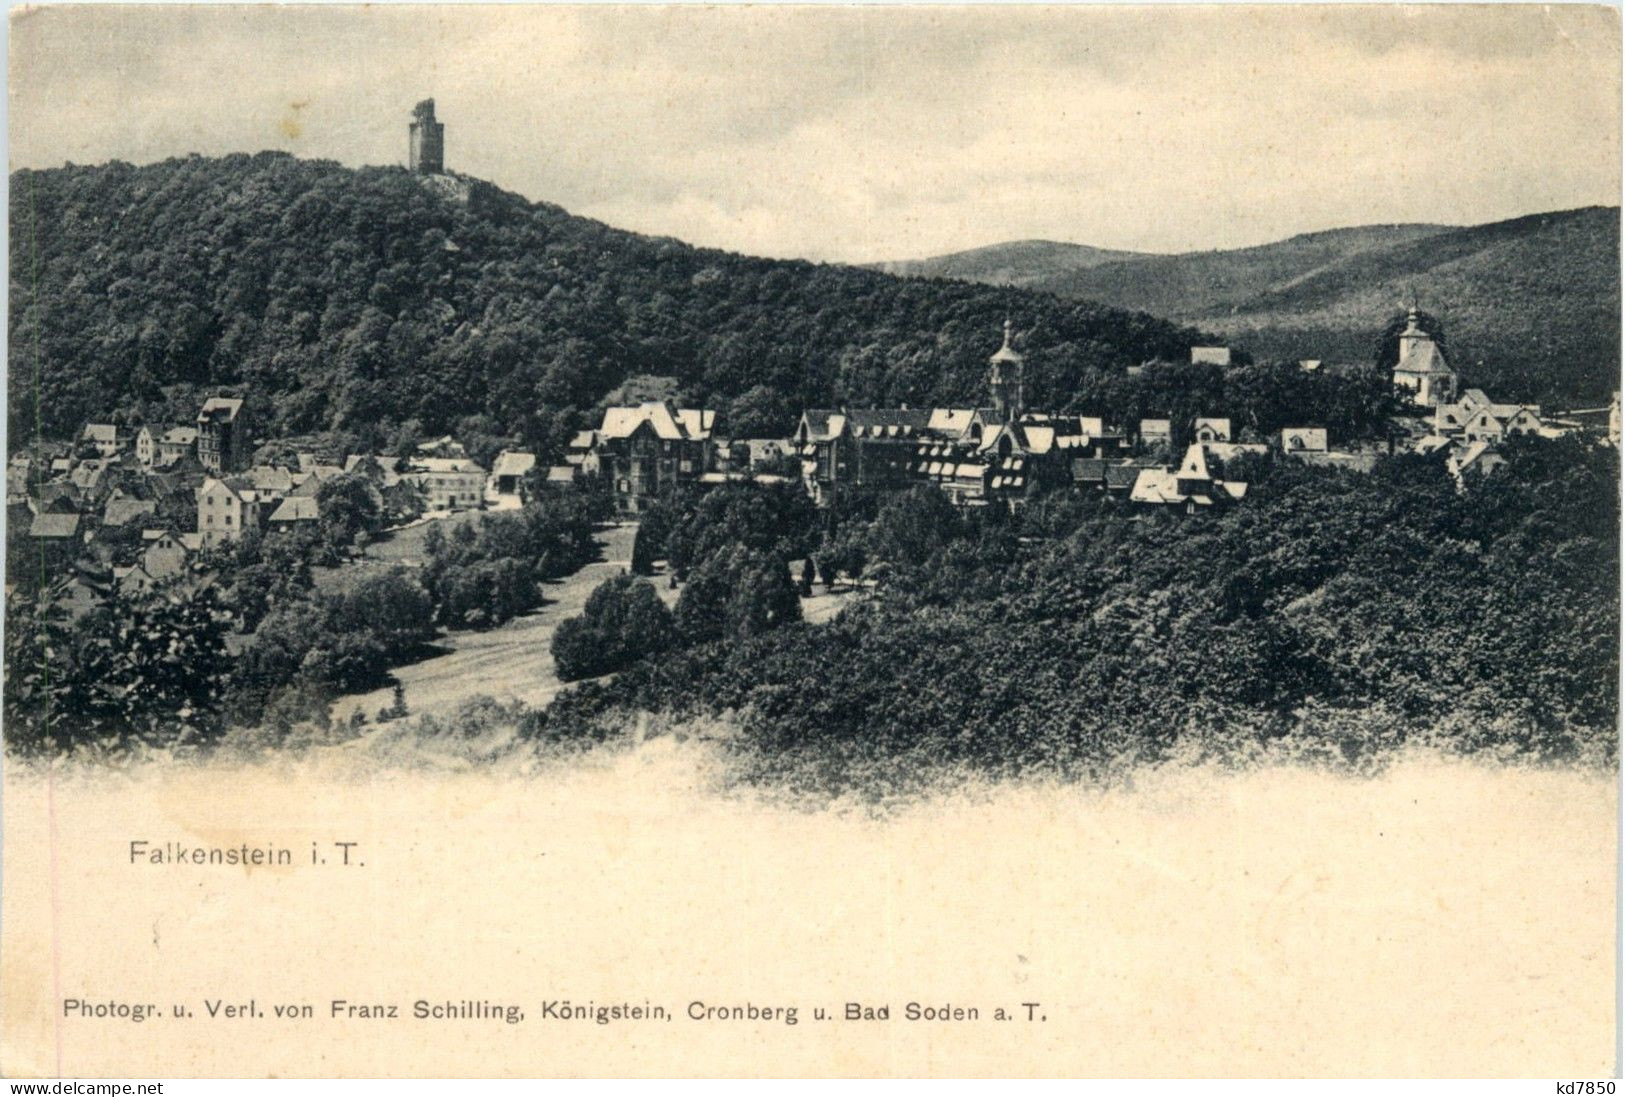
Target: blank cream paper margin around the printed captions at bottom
x=1444 y=919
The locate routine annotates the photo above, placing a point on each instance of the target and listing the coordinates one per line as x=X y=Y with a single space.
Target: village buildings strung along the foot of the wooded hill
x=145 y=506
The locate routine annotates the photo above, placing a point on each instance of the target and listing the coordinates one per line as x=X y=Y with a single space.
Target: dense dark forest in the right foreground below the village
x=1338 y=612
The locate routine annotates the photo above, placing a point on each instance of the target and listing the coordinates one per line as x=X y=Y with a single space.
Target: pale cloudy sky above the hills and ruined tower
x=869 y=134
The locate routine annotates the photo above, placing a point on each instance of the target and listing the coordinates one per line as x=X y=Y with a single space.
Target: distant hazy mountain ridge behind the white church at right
x=1532 y=305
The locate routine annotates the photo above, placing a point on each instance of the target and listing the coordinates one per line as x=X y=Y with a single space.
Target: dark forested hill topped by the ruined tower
x=375 y=300
